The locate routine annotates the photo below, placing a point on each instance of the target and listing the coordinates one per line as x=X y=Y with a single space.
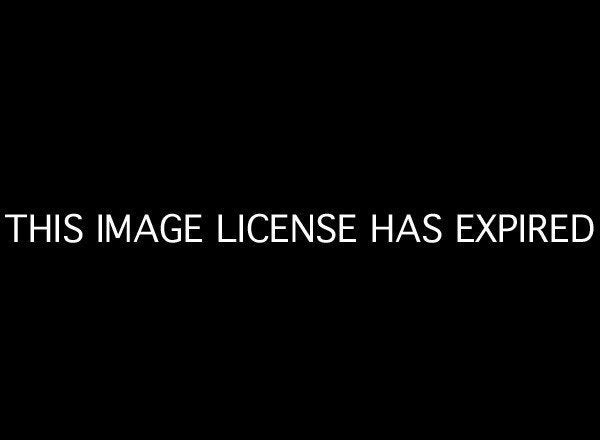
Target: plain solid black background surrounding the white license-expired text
x=368 y=113
